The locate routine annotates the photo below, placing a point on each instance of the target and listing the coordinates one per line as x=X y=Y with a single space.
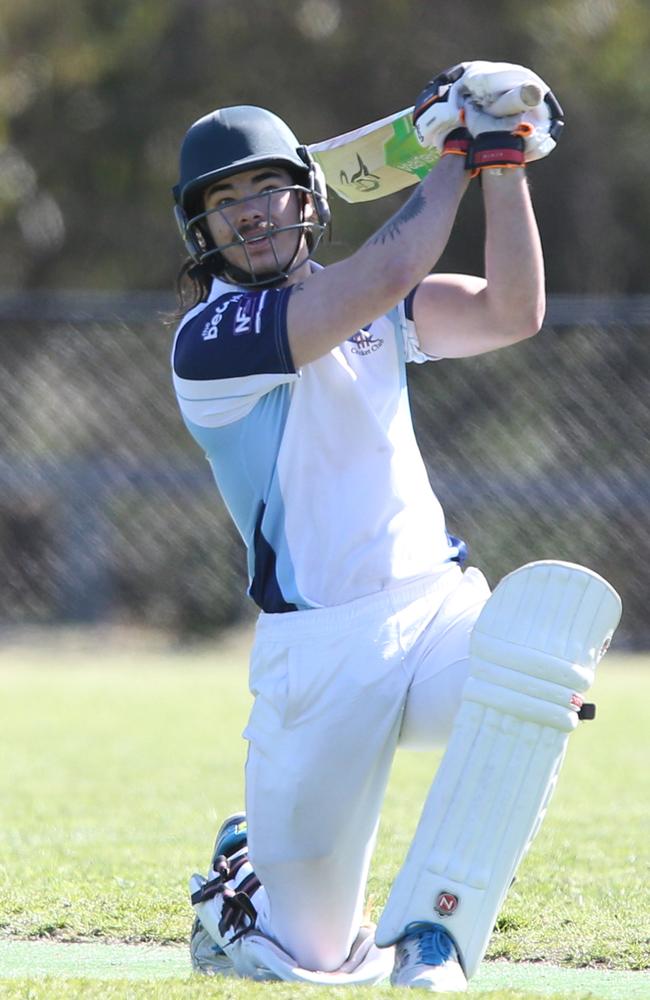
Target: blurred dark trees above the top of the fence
x=95 y=97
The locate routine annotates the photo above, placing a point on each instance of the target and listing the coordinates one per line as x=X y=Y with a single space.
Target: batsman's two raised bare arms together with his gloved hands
x=455 y=315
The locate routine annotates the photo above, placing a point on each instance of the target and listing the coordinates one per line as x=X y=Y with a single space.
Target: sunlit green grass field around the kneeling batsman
x=119 y=761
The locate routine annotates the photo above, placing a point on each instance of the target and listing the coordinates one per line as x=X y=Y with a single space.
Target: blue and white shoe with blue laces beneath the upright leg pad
x=426 y=959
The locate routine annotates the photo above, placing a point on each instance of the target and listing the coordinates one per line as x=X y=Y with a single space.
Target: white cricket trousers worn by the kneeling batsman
x=336 y=691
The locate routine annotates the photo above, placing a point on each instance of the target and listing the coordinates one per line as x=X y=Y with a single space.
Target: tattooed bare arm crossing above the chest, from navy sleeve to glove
x=334 y=303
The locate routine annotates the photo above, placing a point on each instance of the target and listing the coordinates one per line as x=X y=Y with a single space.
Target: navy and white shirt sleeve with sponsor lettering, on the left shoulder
x=229 y=353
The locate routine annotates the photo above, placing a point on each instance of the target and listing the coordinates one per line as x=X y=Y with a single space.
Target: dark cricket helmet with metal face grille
x=229 y=141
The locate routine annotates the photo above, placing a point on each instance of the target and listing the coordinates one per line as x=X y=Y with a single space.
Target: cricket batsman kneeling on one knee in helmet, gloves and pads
x=371 y=635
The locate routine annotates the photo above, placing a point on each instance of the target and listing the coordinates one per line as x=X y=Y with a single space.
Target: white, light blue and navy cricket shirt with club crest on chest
x=319 y=468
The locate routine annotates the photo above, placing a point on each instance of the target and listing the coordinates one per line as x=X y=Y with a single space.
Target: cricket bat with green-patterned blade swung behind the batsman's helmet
x=386 y=156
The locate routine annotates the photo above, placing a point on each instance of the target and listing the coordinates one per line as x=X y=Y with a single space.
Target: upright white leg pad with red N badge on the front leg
x=534 y=650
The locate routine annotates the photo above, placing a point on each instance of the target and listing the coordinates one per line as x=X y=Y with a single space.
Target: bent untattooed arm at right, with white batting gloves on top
x=459 y=315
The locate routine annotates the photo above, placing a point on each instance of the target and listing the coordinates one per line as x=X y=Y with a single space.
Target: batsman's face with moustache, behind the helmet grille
x=253 y=207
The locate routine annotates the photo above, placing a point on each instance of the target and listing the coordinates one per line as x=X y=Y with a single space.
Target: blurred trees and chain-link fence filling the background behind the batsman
x=107 y=509
